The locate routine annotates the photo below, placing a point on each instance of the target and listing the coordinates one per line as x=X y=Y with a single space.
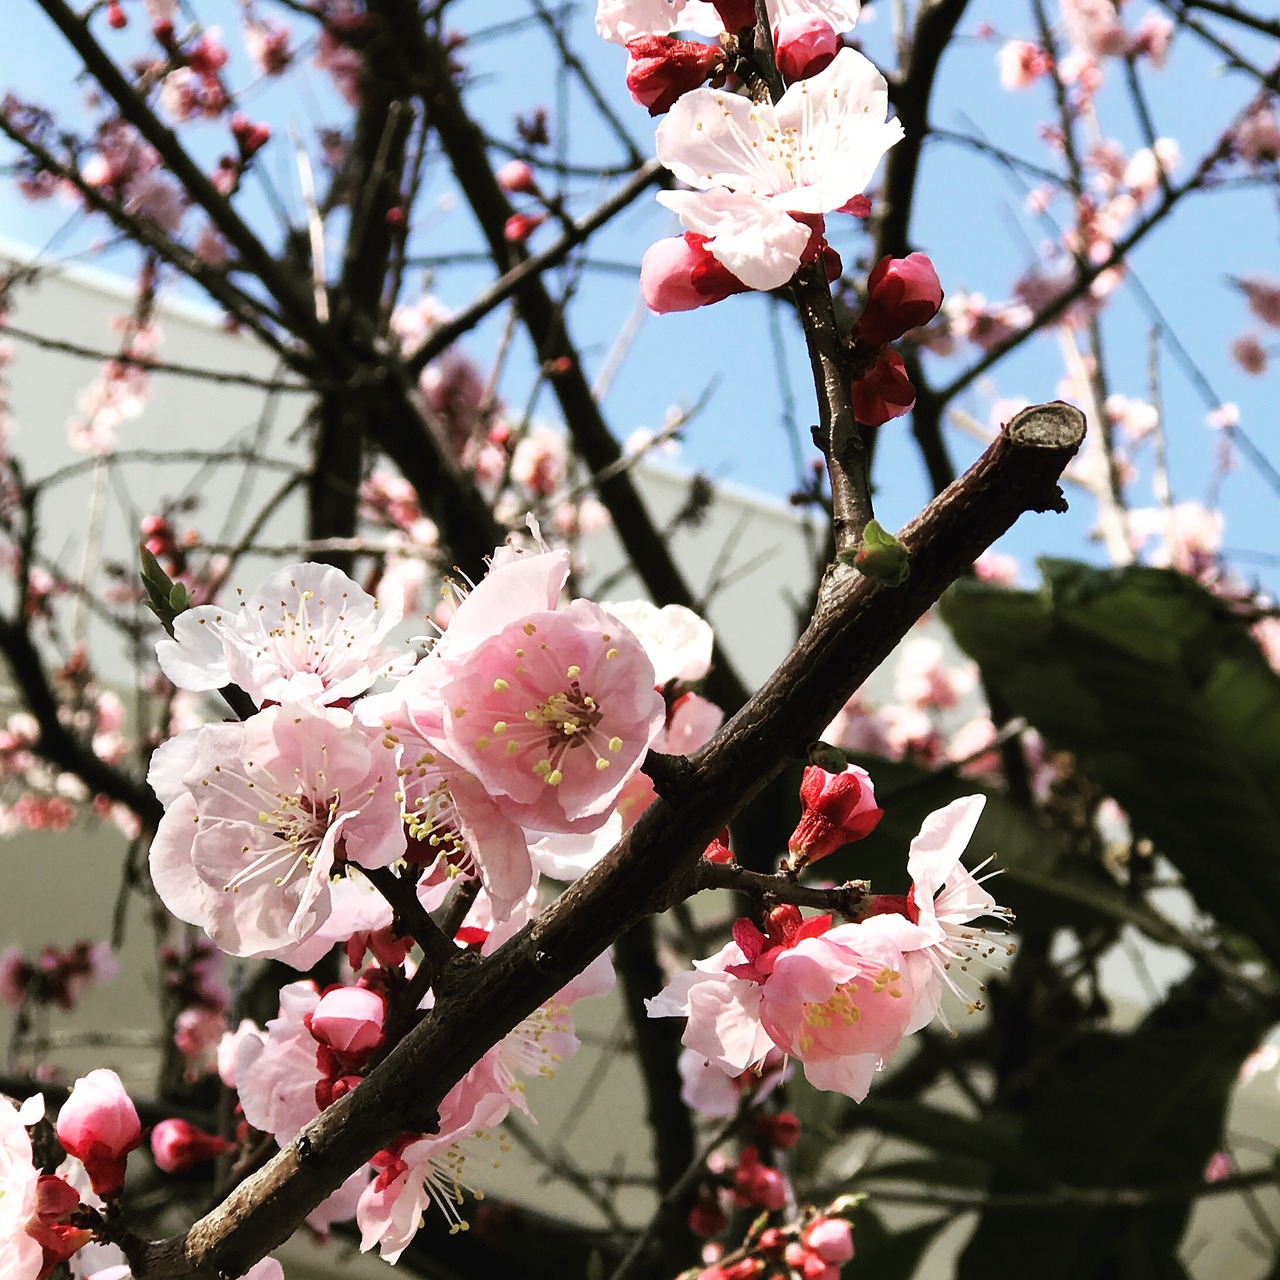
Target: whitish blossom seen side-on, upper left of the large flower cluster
x=310 y=634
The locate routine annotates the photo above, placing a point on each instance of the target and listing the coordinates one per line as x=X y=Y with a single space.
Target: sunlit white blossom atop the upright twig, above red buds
x=758 y=164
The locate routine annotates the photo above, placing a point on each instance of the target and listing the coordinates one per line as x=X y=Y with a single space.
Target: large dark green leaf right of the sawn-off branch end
x=1168 y=705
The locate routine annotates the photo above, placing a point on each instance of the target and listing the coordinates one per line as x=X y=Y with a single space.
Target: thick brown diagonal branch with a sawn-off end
x=656 y=865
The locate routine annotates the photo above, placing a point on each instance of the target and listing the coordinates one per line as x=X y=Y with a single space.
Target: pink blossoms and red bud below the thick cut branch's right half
x=840 y=998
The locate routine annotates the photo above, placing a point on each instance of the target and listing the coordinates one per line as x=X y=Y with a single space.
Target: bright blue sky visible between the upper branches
x=742 y=353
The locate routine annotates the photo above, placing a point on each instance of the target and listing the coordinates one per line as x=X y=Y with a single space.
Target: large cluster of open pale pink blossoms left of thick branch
x=525 y=721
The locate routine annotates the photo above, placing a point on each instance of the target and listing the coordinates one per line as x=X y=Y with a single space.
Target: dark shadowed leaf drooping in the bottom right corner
x=1142 y=1110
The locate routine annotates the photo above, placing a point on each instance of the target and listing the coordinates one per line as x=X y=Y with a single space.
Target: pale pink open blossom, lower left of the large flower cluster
x=260 y=815
